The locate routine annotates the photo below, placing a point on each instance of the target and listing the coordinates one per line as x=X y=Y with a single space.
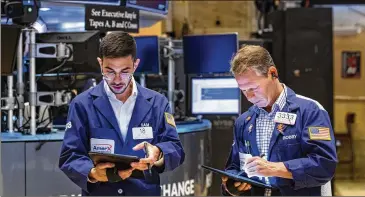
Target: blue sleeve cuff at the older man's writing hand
x=297 y=170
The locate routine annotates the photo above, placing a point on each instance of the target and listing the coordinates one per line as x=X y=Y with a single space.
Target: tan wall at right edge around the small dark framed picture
x=354 y=89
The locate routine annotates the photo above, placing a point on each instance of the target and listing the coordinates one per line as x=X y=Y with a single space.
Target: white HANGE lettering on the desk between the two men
x=183 y=188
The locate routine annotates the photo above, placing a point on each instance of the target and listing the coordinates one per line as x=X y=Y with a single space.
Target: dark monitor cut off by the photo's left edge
x=9 y=45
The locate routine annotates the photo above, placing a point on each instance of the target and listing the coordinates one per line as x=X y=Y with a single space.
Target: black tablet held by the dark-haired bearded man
x=122 y=162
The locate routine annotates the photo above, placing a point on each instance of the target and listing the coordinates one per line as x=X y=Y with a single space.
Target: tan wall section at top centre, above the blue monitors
x=235 y=16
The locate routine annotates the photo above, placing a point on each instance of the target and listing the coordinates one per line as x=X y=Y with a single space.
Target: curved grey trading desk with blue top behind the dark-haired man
x=30 y=164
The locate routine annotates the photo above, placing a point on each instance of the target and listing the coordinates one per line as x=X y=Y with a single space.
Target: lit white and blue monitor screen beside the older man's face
x=215 y=96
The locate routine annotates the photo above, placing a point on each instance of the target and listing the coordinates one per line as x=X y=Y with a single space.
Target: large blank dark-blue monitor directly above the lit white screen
x=209 y=53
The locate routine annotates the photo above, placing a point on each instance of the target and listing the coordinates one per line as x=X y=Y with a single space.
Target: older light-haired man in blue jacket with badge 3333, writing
x=284 y=140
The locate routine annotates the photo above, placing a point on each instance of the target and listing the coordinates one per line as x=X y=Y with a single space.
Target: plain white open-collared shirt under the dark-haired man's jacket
x=123 y=111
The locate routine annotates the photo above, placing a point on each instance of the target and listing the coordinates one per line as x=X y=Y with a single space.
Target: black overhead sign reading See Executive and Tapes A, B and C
x=111 y=18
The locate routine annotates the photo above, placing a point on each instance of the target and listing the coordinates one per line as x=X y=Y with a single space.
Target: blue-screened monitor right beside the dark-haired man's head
x=148 y=51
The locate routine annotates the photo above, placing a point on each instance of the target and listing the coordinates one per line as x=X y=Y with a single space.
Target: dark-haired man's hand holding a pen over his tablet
x=153 y=155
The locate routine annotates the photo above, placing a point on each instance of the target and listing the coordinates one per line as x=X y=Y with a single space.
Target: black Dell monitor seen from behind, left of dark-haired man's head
x=85 y=50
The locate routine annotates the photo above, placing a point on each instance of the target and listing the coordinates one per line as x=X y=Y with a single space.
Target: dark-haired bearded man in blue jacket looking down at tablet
x=118 y=116
